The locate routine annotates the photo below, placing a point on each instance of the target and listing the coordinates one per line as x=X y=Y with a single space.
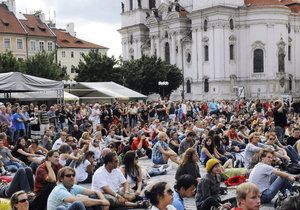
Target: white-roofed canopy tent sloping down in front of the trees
x=104 y=90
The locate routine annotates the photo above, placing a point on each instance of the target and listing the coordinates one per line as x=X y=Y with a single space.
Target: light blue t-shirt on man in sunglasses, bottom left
x=59 y=193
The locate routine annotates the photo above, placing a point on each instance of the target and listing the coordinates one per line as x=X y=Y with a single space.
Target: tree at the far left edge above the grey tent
x=8 y=63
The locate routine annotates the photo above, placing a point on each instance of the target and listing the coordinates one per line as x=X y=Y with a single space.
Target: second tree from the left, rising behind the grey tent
x=42 y=65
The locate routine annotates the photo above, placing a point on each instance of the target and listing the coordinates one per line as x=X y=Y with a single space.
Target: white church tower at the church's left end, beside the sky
x=135 y=35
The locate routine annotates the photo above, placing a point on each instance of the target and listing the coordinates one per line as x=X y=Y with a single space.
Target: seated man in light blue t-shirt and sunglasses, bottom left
x=65 y=194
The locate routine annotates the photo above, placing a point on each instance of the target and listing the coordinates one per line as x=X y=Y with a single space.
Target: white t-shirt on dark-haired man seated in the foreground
x=102 y=178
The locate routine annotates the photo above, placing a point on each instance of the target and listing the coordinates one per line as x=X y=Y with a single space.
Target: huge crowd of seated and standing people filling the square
x=52 y=151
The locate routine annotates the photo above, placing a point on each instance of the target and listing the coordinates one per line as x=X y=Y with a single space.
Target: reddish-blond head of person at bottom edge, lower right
x=247 y=197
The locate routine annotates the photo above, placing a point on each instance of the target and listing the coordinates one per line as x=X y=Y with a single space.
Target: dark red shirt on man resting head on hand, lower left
x=41 y=176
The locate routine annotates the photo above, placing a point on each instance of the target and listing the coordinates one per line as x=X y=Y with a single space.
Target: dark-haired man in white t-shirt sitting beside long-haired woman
x=110 y=180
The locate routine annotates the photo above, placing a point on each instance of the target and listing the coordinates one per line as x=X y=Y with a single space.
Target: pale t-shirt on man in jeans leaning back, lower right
x=260 y=176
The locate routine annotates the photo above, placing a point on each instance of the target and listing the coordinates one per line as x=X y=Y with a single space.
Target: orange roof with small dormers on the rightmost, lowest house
x=65 y=40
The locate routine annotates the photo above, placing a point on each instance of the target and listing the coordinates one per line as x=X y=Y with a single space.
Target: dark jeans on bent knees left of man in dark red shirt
x=23 y=180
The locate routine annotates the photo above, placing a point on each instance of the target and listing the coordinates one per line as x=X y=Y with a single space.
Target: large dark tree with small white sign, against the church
x=144 y=74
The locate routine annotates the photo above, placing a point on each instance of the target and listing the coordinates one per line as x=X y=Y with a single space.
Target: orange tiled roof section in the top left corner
x=9 y=23
